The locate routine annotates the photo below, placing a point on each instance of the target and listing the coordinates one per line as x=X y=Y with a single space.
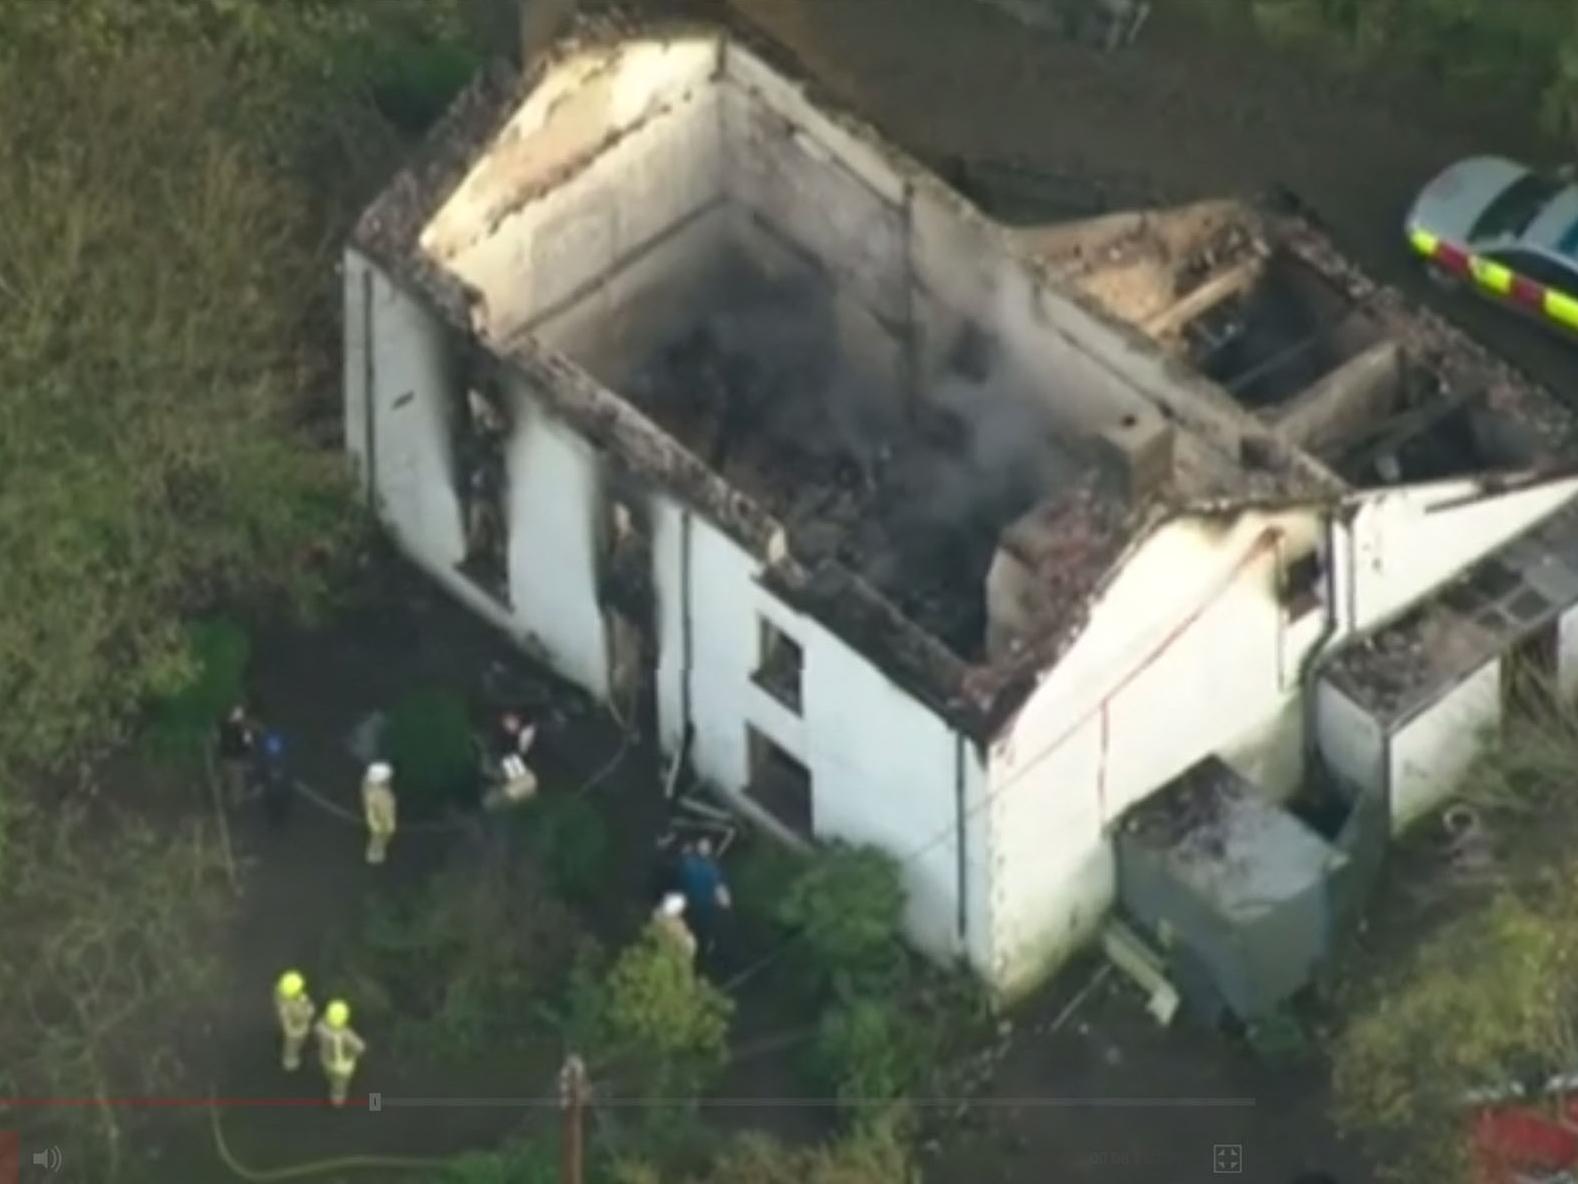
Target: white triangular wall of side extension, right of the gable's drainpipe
x=1410 y=541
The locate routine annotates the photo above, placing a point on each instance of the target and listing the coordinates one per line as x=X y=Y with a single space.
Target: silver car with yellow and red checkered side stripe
x=1506 y=231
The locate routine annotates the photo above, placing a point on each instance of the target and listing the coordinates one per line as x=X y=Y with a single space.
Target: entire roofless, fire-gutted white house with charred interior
x=927 y=533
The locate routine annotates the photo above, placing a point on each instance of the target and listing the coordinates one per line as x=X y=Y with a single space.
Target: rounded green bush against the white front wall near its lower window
x=850 y=904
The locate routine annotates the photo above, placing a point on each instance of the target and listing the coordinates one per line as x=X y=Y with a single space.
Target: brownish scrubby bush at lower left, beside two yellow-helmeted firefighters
x=110 y=931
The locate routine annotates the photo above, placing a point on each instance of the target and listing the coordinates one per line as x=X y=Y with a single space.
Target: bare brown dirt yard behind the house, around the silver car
x=1186 y=113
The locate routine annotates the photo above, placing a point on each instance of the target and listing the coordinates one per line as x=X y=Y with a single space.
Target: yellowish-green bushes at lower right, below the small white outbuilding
x=1479 y=989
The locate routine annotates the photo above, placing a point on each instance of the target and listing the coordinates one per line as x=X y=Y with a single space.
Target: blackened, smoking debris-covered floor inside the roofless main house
x=752 y=359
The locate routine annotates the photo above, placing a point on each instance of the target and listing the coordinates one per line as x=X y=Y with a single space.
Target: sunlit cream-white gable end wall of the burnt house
x=1184 y=656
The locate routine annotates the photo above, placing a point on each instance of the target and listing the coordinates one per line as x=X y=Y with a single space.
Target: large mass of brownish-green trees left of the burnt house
x=176 y=178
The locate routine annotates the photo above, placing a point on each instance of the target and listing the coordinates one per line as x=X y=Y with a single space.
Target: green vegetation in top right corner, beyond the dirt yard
x=1473 y=47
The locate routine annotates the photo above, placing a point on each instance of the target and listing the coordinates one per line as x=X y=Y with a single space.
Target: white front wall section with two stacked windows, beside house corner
x=883 y=766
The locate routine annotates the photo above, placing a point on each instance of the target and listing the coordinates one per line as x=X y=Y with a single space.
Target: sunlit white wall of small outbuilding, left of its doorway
x=1430 y=754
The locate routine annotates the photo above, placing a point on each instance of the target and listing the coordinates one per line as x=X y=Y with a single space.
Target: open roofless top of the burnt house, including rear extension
x=752 y=304
